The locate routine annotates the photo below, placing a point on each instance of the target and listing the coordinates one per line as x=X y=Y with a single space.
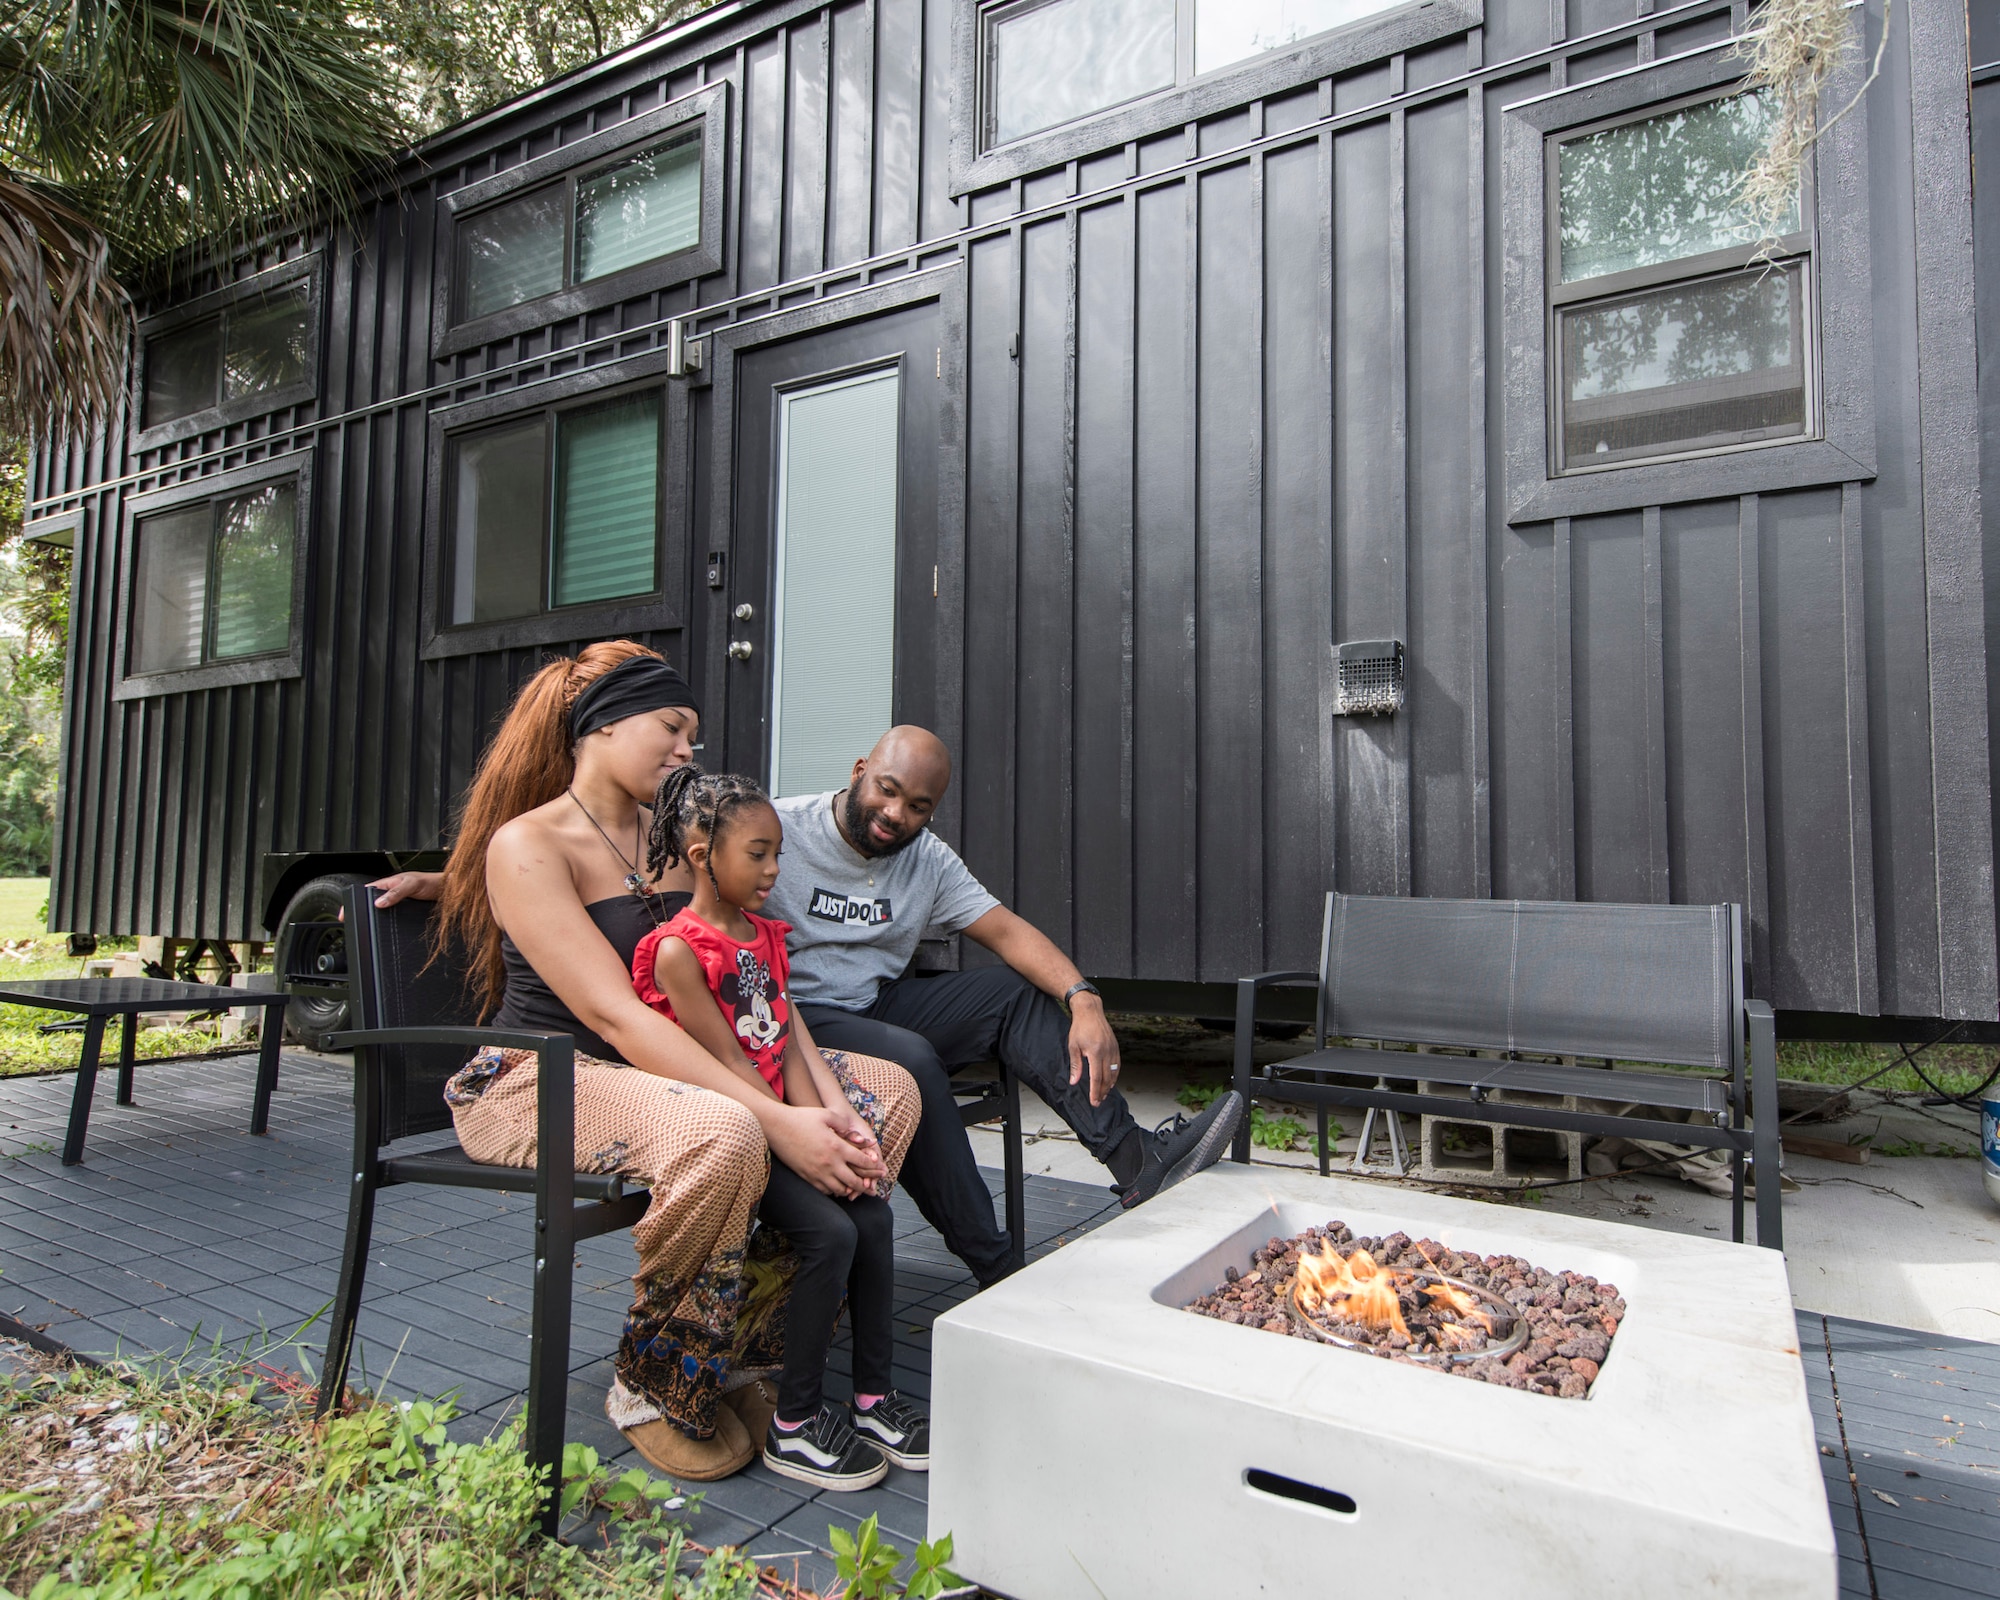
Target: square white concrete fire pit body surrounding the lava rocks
x=1095 y=1441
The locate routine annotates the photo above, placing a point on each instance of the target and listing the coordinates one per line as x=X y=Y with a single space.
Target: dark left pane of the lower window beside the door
x=499 y=511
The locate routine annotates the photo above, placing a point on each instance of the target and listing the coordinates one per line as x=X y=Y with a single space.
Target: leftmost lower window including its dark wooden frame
x=213 y=579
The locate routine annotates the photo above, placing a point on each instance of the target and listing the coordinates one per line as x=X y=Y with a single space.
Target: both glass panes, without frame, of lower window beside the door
x=555 y=509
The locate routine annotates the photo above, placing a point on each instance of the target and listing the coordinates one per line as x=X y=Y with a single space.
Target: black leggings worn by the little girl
x=845 y=1247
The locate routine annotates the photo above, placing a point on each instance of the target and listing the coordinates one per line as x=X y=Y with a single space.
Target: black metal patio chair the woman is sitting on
x=417 y=1029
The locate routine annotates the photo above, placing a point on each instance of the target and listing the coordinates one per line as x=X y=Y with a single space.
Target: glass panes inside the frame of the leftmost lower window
x=215 y=581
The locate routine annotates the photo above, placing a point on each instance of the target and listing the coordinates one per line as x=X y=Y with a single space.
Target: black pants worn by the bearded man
x=947 y=1021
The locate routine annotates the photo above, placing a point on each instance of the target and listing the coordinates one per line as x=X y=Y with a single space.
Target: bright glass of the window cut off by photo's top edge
x=1049 y=63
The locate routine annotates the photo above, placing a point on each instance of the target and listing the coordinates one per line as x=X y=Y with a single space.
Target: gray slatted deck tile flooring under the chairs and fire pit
x=181 y=1227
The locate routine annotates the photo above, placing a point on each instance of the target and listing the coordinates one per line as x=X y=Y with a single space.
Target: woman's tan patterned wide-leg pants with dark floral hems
x=707 y=1307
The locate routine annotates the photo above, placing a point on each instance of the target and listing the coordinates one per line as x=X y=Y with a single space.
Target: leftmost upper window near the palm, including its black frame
x=231 y=355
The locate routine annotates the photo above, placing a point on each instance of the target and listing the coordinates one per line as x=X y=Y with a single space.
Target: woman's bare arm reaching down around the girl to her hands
x=537 y=901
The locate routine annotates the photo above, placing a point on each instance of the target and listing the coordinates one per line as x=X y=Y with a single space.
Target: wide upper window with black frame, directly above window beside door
x=615 y=215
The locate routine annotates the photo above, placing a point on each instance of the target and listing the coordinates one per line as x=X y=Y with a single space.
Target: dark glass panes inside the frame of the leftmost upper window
x=259 y=345
